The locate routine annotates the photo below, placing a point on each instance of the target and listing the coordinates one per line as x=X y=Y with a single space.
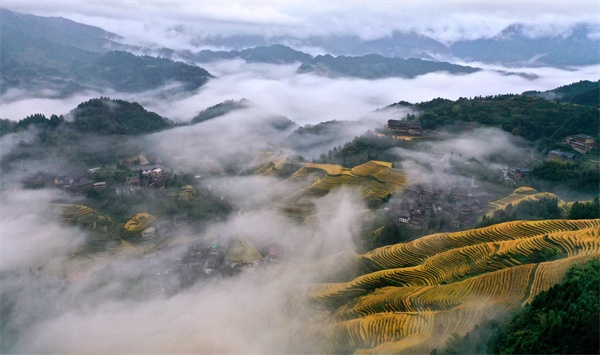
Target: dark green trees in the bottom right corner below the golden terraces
x=563 y=320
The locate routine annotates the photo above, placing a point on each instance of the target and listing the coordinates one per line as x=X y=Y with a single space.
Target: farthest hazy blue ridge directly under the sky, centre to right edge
x=513 y=46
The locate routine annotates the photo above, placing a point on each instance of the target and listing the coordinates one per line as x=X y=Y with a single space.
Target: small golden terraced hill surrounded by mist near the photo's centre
x=373 y=180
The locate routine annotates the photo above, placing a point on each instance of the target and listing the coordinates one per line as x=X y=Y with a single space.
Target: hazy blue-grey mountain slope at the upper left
x=41 y=53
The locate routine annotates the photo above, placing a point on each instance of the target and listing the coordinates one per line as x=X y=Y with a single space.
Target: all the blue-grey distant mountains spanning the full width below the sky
x=65 y=57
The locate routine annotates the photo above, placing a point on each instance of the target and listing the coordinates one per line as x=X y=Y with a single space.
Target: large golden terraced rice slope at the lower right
x=411 y=297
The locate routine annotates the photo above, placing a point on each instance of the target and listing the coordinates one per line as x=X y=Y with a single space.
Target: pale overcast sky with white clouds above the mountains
x=181 y=23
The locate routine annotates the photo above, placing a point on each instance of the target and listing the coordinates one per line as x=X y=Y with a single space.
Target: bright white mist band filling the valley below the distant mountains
x=304 y=98
